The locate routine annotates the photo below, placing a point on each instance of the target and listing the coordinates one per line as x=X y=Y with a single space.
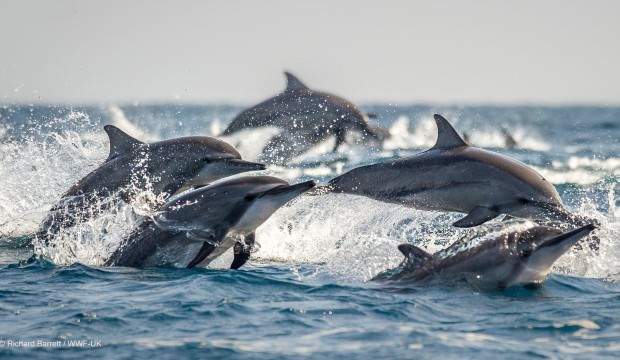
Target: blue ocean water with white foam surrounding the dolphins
x=306 y=291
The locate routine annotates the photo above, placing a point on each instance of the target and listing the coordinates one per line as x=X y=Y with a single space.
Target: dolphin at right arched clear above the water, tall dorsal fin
x=453 y=176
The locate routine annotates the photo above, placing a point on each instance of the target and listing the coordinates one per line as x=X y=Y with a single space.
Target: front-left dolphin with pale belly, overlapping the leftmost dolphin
x=197 y=226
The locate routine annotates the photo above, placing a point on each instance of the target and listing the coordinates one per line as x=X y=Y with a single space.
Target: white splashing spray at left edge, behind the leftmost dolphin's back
x=36 y=172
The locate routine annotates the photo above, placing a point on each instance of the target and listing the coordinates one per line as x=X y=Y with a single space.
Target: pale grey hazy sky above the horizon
x=235 y=51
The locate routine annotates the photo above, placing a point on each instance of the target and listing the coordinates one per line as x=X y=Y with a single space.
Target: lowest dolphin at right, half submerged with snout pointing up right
x=515 y=258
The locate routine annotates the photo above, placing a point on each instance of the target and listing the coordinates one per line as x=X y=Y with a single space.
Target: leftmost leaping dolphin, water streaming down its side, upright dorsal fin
x=164 y=167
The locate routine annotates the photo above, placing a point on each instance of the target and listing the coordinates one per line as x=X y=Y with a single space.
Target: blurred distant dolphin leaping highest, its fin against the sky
x=306 y=118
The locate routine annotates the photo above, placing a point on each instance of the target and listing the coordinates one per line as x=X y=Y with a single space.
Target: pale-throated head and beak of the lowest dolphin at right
x=538 y=250
